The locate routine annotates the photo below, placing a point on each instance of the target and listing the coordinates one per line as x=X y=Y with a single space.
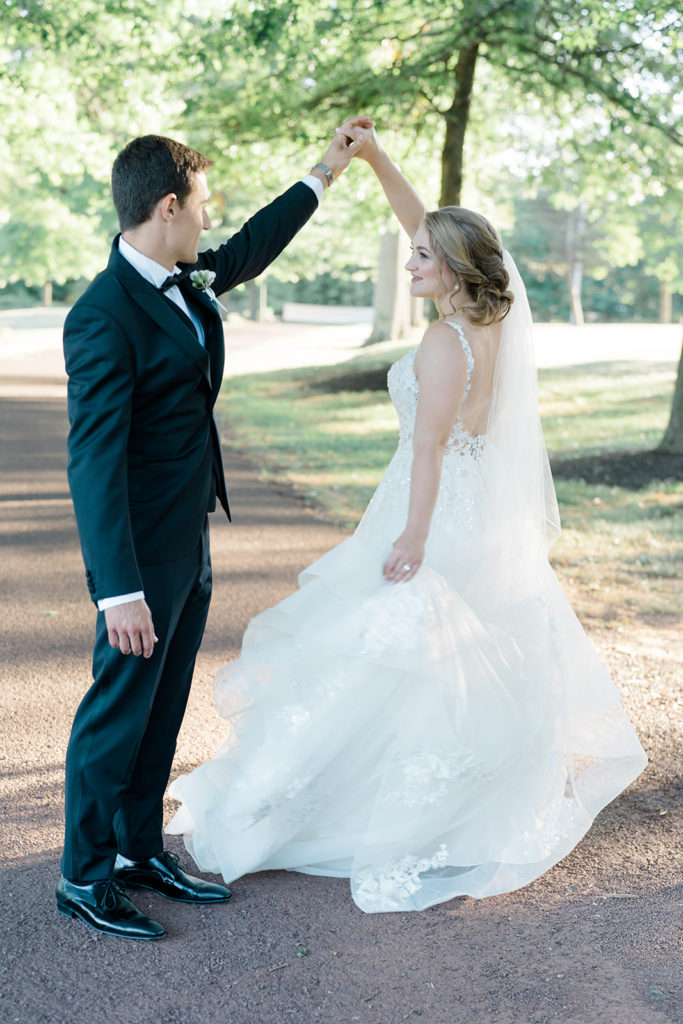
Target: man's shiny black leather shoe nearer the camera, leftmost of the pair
x=104 y=907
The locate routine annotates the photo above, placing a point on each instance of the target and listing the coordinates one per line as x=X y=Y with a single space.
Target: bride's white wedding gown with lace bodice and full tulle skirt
x=426 y=740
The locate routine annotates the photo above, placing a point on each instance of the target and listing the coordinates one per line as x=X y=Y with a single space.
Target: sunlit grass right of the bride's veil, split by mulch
x=622 y=549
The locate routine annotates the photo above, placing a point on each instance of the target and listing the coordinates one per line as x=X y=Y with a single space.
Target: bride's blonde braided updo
x=471 y=246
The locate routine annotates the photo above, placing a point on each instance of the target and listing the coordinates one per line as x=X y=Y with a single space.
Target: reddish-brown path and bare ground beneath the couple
x=597 y=941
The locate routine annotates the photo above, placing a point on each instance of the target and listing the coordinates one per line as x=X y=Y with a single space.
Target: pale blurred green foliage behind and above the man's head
x=77 y=79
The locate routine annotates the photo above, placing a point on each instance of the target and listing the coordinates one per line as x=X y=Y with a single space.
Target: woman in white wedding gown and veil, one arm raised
x=425 y=715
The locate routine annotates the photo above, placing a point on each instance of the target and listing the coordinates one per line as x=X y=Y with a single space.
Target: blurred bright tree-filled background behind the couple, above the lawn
x=558 y=121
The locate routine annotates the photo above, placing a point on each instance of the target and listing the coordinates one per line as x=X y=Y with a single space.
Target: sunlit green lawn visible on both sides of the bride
x=621 y=552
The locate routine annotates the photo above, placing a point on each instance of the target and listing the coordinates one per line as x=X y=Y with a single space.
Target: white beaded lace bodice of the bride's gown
x=405 y=390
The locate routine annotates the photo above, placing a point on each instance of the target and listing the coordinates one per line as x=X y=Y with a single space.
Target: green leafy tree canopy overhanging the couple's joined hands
x=613 y=66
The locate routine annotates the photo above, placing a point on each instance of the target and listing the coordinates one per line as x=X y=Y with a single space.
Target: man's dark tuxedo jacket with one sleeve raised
x=145 y=463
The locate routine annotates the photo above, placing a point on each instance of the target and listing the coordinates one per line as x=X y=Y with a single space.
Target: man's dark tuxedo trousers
x=124 y=735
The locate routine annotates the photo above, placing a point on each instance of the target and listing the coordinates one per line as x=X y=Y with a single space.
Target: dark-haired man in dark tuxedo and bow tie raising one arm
x=144 y=351
